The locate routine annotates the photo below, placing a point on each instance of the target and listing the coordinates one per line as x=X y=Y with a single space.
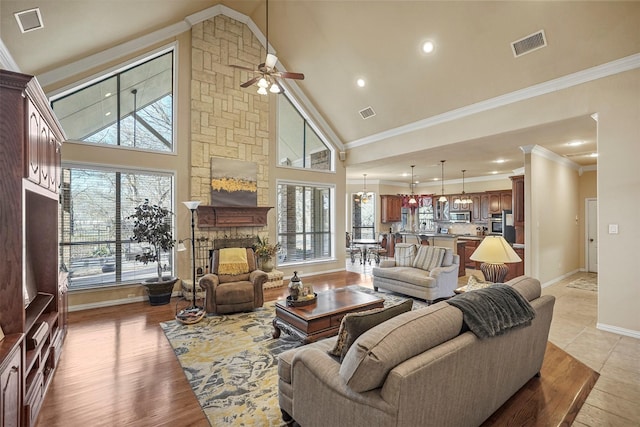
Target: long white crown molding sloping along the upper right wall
x=594 y=73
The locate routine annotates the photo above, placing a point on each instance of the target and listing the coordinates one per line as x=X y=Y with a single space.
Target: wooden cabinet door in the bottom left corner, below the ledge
x=11 y=390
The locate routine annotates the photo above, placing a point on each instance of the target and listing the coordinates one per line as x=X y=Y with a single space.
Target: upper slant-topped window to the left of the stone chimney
x=131 y=108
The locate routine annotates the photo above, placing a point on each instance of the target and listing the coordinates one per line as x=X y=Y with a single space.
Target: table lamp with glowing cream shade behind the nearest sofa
x=493 y=252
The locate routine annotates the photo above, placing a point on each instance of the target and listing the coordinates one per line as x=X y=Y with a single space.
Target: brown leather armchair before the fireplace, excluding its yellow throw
x=233 y=293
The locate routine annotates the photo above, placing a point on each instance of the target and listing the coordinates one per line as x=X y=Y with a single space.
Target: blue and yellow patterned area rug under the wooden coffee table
x=231 y=362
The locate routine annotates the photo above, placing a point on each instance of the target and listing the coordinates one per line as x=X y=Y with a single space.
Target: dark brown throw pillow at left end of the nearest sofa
x=355 y=324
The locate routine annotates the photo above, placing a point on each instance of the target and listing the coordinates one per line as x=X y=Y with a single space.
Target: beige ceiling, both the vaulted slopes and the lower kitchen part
x=336 y=42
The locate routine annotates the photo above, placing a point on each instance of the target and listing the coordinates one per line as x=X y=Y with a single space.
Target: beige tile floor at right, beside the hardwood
x=615 y=397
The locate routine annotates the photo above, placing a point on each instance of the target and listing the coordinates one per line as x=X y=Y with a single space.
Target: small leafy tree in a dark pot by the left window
x=151 y=226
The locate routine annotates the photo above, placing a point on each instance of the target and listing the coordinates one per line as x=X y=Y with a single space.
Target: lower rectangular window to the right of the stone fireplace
x=304 y=222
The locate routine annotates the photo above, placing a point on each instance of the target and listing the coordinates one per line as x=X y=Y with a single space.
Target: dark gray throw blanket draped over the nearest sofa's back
x=494 y=310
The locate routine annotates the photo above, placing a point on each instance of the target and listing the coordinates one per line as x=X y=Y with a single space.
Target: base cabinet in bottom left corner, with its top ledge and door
x=11 y=381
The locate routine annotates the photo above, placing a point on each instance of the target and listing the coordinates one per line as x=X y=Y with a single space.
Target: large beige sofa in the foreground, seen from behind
x=416 y=369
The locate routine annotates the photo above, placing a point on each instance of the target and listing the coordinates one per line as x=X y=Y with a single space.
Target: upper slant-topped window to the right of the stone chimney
x=298 y=144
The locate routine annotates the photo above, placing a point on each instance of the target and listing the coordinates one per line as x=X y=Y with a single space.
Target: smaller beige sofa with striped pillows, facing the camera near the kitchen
x=410 y=273
